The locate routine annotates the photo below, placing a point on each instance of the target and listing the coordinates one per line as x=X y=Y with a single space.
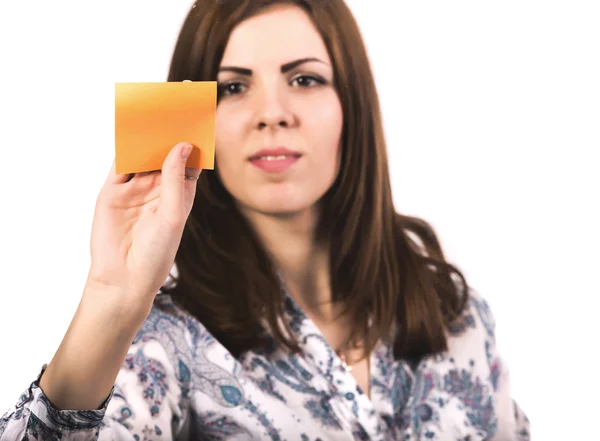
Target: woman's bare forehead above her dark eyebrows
x=277 y=35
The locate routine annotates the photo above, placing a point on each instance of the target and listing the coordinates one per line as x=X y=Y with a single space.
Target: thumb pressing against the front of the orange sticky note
x=178 y=184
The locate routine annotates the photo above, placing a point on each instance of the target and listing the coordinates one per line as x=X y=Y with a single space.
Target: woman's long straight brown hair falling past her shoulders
x=381 y=262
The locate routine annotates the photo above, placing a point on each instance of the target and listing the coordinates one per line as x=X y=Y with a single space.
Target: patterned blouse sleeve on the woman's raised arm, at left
x=147 y=401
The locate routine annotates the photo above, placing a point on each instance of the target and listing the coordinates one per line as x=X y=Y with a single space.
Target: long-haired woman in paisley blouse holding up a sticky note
x=302 y=307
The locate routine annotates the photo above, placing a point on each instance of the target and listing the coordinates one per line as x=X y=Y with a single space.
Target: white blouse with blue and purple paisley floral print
x=179 y=383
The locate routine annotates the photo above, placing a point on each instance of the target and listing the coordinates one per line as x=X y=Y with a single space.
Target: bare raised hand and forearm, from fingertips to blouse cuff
x=136 y=231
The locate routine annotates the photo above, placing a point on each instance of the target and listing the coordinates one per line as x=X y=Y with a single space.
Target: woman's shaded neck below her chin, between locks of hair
x=303 y=263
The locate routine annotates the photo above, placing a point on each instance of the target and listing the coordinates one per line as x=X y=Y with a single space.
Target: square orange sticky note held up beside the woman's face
x=150 y=118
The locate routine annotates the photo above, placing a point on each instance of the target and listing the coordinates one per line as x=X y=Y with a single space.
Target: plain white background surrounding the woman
x=492 y=113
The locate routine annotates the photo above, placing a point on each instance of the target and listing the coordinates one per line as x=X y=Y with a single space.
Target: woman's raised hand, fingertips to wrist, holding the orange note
x=136 y=231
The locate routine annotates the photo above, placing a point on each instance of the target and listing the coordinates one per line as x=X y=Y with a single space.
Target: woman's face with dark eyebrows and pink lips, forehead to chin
x=279 y=118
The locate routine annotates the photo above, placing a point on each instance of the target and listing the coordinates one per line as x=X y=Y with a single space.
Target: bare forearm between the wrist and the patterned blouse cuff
x=85 y=366
